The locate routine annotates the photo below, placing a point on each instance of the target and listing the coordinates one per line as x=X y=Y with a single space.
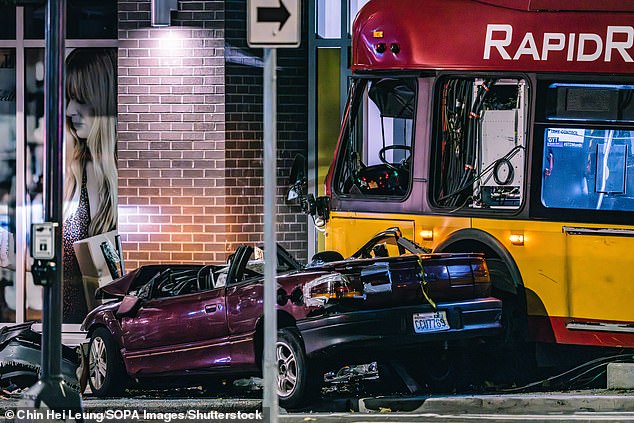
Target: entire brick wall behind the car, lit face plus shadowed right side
x=190 y=155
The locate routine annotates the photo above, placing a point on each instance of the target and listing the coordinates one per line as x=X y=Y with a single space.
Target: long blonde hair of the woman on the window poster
x=91 y=80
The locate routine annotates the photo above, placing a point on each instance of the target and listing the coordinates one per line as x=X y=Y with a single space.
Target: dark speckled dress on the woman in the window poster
x=75 y=229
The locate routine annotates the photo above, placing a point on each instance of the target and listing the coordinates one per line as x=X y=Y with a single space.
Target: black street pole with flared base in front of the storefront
x=51 y=391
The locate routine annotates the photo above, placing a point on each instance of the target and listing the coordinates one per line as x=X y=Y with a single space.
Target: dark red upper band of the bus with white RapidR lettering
x=495 y=35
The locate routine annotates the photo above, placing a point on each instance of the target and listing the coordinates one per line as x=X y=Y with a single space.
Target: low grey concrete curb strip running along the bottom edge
x=548 y=402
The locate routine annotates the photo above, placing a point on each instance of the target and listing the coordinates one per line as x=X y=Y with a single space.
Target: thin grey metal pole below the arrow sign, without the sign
x=270 y=249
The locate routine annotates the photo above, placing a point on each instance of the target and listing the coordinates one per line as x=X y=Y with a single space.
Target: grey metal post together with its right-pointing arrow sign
x=271 y=24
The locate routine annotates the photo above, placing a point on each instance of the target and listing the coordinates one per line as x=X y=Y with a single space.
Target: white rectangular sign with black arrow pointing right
x=273 y=23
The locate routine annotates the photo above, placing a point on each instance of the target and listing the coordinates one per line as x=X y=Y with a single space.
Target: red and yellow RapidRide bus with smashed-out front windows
x=504 y=127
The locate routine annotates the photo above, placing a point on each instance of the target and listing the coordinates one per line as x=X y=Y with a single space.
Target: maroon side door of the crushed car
x=179 y=332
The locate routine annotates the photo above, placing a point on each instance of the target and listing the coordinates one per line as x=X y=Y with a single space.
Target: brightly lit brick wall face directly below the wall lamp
x=171 y=134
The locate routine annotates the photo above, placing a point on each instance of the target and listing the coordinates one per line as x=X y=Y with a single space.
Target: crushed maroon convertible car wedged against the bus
x=182 y=322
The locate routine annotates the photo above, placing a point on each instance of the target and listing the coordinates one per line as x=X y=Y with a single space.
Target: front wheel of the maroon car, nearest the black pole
x=106 y=373
